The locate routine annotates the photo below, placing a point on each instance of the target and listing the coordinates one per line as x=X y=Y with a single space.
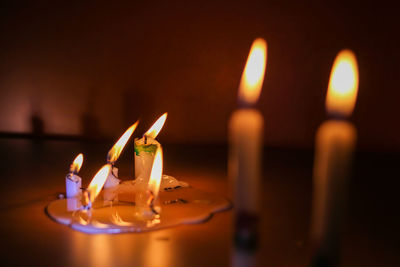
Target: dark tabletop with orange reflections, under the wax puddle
x=32 y=175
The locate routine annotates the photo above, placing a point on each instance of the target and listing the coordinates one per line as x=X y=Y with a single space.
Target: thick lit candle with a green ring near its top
x=145 y=150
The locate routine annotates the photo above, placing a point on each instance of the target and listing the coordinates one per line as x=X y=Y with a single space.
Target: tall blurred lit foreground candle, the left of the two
x=245 y=135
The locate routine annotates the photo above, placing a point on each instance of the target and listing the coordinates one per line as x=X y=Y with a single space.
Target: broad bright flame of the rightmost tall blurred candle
x=343 y=84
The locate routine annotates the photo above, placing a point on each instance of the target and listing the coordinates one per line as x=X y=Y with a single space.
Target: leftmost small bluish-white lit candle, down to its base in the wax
x=73 y=183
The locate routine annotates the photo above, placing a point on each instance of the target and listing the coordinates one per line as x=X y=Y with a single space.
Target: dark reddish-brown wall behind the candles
x=85 y=68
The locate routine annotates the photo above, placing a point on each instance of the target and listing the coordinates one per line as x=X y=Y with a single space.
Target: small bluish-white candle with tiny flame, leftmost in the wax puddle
x=73 y=182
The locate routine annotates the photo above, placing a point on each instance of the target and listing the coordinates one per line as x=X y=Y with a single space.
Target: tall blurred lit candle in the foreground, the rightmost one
x=335 y=142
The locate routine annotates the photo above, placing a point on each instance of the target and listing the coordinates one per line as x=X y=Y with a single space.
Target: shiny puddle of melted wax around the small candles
x=114 y=210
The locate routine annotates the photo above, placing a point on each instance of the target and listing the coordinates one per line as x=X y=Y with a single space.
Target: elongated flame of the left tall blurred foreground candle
x=254 y=71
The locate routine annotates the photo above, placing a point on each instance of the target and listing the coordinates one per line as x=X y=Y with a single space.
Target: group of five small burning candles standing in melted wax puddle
x=148 y=169
